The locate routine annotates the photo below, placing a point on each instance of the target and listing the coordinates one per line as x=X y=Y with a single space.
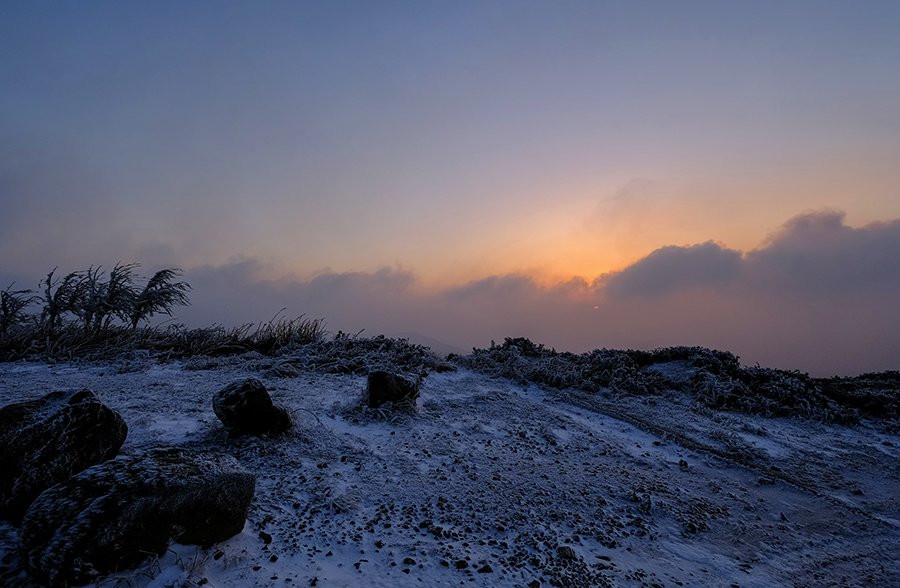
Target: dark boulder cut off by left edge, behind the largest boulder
x=48 y=440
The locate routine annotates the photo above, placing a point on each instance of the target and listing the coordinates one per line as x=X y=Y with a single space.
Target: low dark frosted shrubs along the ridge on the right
x=713 y=378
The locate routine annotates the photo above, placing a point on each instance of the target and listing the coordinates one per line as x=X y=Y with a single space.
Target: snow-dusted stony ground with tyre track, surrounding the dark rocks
x=492 y=483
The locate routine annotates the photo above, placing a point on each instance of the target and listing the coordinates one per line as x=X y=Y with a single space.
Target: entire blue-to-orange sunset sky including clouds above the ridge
x=588 y=174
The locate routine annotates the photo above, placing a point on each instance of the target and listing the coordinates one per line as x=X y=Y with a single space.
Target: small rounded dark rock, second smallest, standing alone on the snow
x=246 y=408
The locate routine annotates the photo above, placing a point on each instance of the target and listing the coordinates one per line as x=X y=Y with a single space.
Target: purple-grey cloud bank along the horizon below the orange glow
x=818 y=295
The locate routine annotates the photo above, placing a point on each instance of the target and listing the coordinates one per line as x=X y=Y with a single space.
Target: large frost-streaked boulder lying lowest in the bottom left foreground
x=114 y=515
